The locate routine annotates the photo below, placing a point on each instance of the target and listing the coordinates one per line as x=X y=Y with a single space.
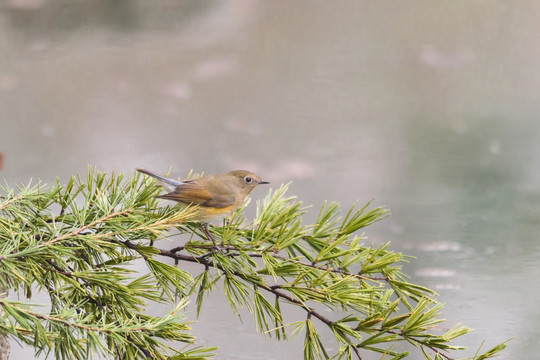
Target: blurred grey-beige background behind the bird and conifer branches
x=431 y=108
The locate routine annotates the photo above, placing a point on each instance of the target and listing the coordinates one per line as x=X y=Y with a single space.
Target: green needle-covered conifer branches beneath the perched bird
x=73 y=242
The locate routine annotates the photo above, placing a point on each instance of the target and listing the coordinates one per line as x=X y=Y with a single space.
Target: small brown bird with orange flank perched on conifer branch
x=217 y=196
